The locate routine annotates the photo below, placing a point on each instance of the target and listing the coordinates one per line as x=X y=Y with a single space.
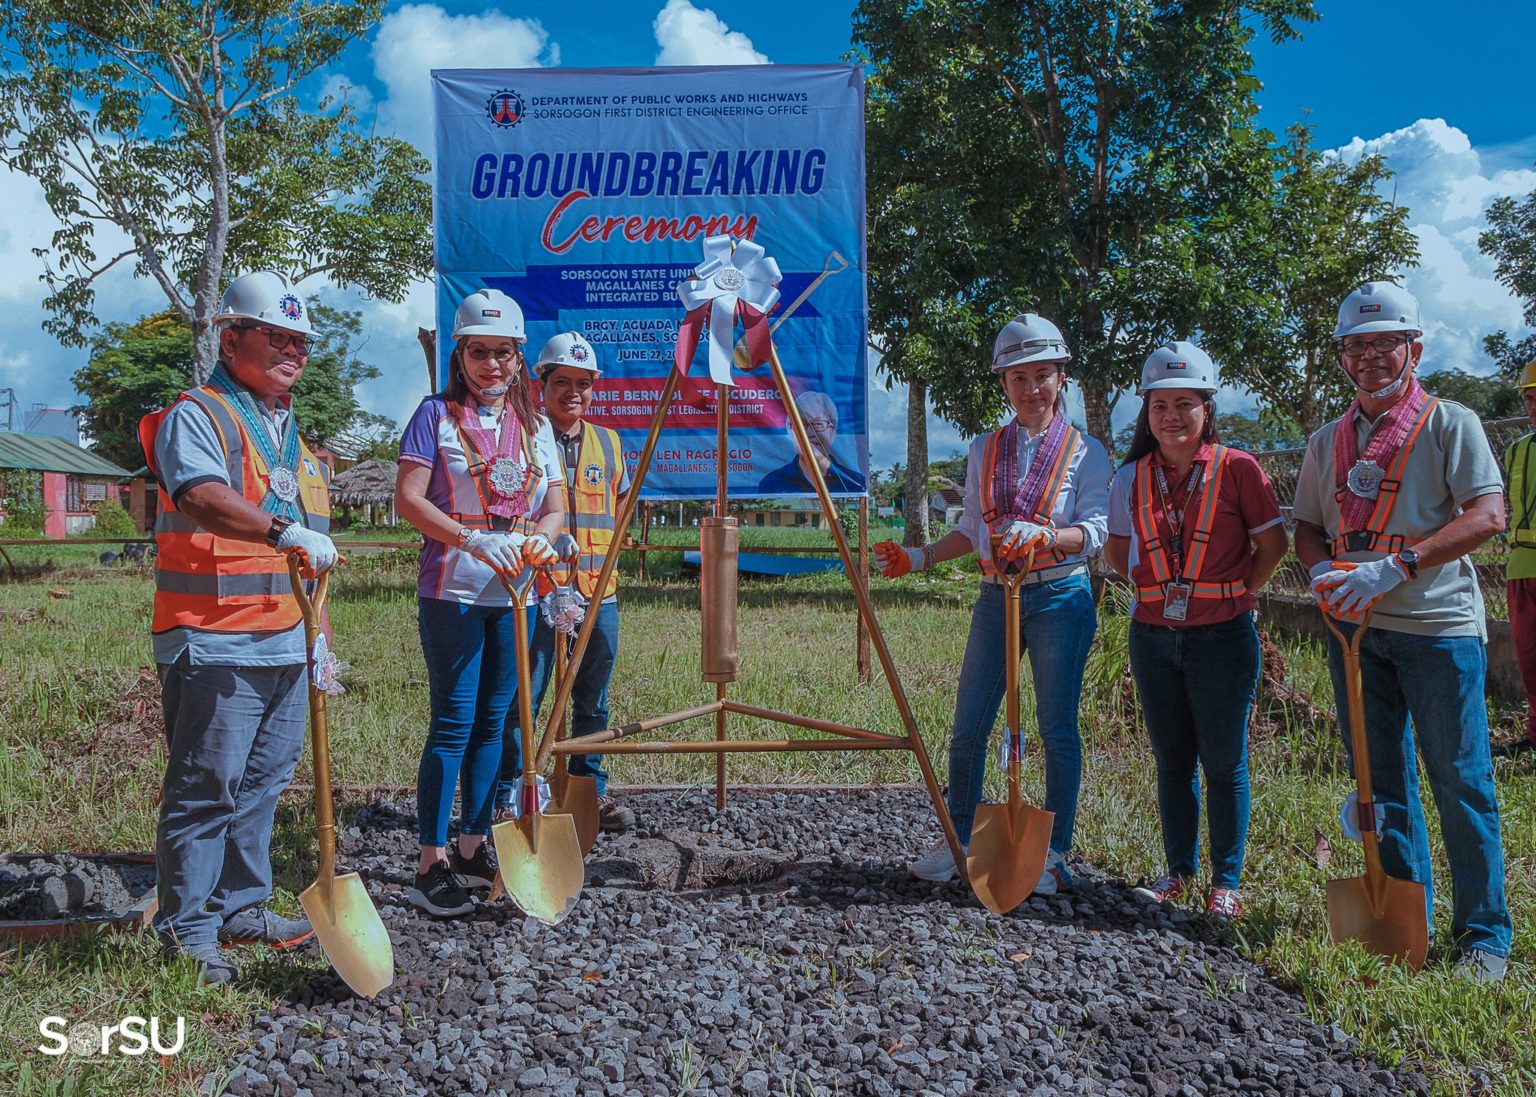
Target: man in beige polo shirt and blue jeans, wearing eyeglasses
x=1391 y=500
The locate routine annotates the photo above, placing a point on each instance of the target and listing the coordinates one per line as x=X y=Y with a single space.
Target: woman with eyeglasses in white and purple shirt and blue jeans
x=477 y=469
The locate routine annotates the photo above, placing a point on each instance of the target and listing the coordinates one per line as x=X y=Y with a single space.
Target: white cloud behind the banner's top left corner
x=417 y=39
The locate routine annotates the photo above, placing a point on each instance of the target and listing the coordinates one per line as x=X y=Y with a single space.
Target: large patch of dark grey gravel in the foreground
x=780 y=947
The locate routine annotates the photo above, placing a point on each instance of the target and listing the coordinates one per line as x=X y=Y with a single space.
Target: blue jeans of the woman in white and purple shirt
x=472 y=678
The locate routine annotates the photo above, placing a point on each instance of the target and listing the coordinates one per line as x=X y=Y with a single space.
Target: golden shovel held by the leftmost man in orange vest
x=346 y=923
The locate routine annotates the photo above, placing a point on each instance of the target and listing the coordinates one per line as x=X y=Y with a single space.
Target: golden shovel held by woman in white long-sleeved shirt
x=1010 y=843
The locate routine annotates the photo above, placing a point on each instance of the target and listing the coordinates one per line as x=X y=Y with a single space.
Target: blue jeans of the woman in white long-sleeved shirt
x=1058 y=625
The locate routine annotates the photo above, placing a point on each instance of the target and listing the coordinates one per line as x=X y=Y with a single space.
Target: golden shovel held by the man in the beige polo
x=1385 y=915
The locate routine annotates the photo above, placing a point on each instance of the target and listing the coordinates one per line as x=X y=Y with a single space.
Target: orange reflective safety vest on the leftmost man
x=225 y=585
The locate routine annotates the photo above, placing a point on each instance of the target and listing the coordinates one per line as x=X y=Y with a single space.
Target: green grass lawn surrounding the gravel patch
x=81 y=758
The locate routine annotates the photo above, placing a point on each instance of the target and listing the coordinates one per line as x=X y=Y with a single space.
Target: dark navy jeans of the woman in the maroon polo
x=1196 y=688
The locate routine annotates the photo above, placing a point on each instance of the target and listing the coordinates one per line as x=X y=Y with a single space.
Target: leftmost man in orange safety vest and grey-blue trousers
x=240 y=489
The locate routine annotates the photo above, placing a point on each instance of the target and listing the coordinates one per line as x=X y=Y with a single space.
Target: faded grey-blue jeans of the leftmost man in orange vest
x=234 y=737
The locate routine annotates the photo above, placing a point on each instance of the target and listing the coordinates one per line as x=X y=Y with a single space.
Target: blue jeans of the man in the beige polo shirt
x=1438 y=683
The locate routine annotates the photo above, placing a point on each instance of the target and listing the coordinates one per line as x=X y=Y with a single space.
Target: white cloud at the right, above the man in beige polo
x=1448 y=185
